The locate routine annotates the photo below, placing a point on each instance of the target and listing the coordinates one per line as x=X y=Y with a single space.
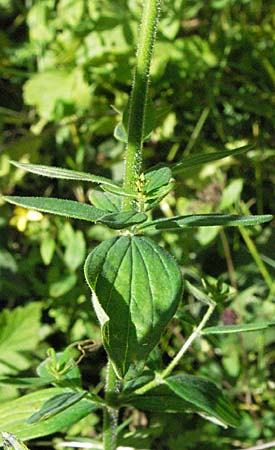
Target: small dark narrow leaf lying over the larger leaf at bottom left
x=55 y=405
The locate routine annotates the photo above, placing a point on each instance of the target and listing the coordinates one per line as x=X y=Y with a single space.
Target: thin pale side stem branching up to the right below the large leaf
x=160 y=377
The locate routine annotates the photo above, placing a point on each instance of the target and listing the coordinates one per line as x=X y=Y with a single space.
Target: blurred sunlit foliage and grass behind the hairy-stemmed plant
x=64 y=80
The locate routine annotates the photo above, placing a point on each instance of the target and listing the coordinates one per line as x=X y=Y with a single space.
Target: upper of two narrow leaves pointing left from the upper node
x=64 y=174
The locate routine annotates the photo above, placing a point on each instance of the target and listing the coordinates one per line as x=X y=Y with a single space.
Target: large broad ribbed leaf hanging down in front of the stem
x=136 y=288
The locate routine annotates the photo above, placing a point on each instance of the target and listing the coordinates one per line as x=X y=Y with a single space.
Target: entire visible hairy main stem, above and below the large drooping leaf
x=133 y=160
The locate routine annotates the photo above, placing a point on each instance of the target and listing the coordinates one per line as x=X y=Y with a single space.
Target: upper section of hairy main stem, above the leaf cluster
x=139 y=96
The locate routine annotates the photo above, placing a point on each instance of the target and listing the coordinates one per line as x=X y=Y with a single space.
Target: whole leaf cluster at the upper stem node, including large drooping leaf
x=136 y=285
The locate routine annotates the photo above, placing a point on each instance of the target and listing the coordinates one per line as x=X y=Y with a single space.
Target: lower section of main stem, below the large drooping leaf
x=110 y=415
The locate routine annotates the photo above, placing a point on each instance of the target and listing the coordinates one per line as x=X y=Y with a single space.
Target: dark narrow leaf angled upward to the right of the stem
x=198 y=160
